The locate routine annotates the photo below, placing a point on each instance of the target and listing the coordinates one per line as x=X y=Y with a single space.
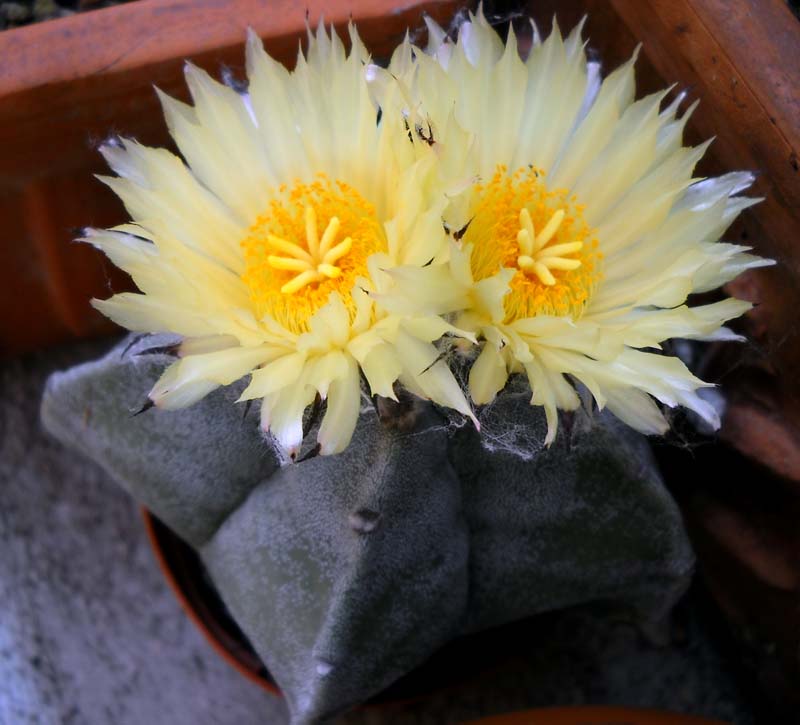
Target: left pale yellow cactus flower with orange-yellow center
x=262 y=250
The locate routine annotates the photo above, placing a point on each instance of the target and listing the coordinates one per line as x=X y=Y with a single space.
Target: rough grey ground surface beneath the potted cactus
x=90 y=633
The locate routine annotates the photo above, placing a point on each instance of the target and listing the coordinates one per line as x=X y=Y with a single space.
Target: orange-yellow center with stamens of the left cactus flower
x=314 y=239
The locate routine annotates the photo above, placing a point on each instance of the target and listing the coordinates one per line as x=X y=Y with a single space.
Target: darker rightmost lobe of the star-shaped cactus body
x=587 y=519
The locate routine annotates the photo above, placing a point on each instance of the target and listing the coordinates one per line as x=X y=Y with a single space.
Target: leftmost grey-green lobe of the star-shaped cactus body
x=192 y=466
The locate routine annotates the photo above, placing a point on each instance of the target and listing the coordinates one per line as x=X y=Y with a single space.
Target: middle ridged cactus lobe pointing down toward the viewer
x=346 y=572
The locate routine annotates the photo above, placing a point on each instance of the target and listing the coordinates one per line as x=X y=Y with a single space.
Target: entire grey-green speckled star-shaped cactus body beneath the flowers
x=347 y=571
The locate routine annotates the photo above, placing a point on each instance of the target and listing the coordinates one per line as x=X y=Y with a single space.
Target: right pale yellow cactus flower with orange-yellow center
x=577 y=230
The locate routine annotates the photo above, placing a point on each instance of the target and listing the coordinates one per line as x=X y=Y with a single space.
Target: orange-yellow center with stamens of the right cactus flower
x=518 y=223
